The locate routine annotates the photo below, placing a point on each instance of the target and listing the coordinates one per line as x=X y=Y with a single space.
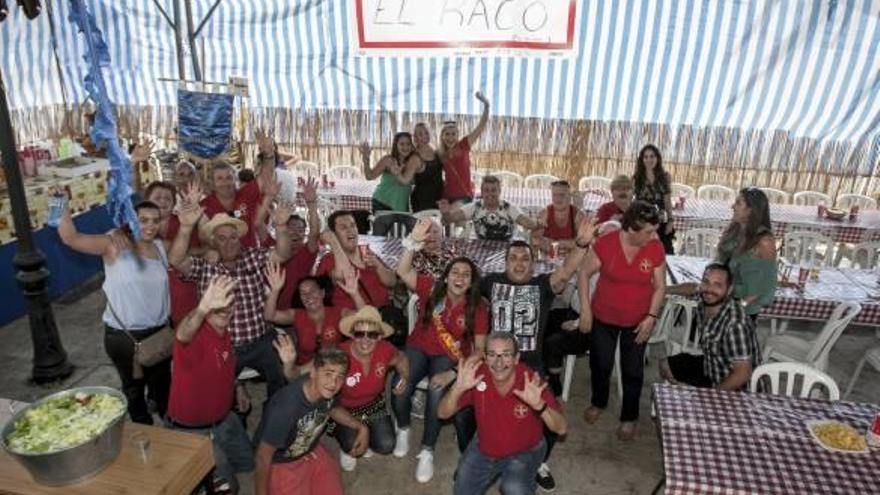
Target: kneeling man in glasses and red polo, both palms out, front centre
x=512 y=406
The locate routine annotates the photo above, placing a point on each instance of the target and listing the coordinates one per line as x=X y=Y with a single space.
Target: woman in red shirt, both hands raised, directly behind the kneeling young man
x=315 y=323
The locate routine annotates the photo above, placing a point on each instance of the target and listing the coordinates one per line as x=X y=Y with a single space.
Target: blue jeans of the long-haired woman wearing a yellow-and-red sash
x=422 y=365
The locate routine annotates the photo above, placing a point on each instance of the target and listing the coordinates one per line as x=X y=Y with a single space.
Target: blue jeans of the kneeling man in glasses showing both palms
x=476 y=471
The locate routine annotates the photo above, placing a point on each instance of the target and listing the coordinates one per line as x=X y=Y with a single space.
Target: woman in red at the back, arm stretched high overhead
x=455 y=155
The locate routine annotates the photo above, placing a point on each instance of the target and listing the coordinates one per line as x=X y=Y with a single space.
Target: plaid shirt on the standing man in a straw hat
x=247 y=323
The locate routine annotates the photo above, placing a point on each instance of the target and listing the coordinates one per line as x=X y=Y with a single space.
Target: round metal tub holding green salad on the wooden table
x=76 y=463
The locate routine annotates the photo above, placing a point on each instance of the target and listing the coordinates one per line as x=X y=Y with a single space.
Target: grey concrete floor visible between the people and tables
x=589 y=461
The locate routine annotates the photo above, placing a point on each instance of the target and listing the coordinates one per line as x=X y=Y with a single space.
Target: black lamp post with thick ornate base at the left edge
x=50 y=359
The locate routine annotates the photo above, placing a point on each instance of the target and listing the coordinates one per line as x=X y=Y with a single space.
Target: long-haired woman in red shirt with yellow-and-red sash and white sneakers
x=452 y=324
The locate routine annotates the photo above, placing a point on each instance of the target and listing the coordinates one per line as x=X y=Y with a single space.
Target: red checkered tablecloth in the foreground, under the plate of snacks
x=723 y=442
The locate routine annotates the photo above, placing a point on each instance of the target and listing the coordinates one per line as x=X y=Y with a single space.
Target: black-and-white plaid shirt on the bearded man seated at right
x=727 y=337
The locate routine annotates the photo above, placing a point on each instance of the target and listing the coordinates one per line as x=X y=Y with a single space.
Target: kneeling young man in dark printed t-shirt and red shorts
x=289 y=456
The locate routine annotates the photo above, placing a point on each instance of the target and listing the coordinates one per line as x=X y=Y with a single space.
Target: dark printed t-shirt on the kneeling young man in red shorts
x=292 y=424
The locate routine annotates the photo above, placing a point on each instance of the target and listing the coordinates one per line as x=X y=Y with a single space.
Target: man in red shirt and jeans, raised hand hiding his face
x=203 y=389
